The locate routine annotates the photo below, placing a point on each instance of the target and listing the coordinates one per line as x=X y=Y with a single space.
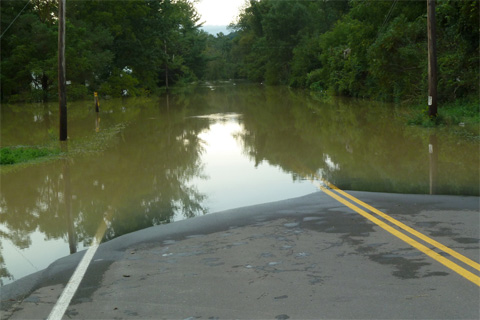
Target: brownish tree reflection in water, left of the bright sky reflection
x=142 y=181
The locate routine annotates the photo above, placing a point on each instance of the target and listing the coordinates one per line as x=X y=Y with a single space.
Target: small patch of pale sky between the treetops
x=218 y=12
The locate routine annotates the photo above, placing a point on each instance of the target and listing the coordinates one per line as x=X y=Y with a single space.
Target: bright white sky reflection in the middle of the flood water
x=232 y=179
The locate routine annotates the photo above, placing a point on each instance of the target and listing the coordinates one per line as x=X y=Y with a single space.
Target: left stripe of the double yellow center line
x=429 y=252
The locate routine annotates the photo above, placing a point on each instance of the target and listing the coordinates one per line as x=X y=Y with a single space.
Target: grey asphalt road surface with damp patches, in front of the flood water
x=303 y=258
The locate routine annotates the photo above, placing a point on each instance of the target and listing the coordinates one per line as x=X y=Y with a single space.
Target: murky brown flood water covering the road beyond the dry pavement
x=147 y=161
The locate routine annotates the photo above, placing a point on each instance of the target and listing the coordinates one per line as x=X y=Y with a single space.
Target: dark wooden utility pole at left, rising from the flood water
x=62 y=95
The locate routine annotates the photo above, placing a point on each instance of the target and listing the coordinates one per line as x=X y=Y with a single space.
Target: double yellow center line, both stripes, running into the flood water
x=414 y=243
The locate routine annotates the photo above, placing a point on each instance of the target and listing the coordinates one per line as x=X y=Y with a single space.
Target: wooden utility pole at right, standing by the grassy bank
x=432 y=59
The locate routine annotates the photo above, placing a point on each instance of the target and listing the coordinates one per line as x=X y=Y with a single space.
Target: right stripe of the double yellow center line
x=414 y=232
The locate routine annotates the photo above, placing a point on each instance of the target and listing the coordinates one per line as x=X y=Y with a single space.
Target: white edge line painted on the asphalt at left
x=64 y=301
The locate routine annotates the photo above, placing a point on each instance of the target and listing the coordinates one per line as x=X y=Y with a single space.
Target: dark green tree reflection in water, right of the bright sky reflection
x=355 y=144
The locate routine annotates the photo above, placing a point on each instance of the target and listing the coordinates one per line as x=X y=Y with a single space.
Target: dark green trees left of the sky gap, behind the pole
x=126 y=47
